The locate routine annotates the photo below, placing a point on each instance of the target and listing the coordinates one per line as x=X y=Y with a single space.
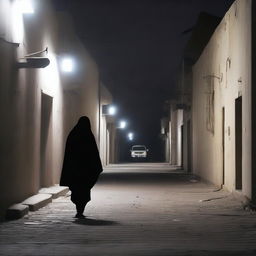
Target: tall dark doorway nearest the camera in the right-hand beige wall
x=238 y=142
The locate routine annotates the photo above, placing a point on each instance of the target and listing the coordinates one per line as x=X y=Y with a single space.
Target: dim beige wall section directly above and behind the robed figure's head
x=80 y=87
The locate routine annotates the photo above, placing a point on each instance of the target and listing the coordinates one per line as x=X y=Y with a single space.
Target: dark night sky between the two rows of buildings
x=138 y=47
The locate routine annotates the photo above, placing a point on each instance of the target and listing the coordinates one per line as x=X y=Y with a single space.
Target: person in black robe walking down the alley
x=81 y=165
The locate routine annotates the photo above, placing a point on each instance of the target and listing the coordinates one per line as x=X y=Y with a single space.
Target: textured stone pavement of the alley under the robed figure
x=138 y=211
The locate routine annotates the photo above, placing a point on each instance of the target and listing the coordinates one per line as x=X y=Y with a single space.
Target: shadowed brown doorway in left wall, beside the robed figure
x=46 y=140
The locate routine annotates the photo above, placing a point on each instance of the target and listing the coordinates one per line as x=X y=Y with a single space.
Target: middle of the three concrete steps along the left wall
x=37 y=201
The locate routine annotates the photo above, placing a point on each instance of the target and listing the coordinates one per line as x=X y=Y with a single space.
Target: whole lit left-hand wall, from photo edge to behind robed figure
x=38 y=107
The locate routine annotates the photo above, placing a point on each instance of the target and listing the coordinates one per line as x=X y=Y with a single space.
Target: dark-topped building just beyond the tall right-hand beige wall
x=180 y=107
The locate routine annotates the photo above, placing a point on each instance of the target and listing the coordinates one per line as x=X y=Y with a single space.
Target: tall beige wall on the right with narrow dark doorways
x=220 y=76
